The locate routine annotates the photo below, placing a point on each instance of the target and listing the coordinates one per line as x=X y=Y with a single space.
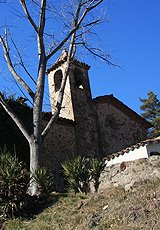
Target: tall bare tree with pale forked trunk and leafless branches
x=77 y=19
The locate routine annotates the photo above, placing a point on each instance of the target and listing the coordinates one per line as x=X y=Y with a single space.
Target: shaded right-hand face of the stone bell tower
x=84 y=111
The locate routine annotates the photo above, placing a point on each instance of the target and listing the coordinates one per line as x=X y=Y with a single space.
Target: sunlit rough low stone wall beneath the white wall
x=127 y=173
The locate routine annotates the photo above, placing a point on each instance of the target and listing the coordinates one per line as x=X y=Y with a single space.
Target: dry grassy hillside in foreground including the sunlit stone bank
x=129 y=198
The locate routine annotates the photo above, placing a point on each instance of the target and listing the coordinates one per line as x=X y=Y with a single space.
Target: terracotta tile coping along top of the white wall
x=132 y=148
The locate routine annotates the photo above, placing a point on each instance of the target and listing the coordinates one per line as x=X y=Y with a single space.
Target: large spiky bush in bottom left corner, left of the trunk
x=14 y=183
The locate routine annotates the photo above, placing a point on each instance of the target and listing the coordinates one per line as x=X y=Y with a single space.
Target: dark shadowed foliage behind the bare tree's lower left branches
x=10 y=135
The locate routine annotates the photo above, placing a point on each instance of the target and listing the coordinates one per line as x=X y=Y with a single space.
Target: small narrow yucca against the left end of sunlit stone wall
x=97 y=167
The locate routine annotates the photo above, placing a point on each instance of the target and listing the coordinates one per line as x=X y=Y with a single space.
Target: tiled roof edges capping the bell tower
x=62 y=59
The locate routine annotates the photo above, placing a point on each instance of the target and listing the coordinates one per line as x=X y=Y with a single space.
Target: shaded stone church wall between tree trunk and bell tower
x=59 y=145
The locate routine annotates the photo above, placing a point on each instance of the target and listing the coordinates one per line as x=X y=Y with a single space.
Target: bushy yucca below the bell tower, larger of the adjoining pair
x=75 y=173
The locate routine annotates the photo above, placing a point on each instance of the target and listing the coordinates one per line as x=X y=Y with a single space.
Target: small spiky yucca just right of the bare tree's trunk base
x=45 y=181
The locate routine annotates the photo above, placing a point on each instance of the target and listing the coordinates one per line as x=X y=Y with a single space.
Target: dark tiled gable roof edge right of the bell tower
x=110 y=99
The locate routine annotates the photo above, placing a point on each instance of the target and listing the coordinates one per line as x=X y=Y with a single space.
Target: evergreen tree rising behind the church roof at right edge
x=151 y=108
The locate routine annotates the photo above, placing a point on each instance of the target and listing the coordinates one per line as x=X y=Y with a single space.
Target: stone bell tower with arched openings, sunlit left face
x=77 y=102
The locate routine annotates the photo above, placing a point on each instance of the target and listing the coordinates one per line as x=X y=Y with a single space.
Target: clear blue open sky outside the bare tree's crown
x=133 y=34
